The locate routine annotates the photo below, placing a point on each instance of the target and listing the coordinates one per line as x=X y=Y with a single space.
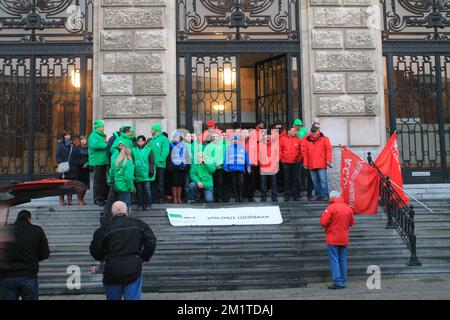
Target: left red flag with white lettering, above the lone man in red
x=360 y=183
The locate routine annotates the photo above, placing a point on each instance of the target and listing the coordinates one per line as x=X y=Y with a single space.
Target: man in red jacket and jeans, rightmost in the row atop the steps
x=317 y=156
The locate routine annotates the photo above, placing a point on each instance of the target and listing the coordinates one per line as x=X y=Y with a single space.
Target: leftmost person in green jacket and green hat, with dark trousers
x=99 y=160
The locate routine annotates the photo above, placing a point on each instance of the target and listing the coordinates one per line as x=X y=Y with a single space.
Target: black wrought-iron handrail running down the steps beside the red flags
x=400 y=215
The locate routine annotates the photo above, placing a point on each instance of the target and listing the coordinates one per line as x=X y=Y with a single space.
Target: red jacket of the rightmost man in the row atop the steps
x=317 y=153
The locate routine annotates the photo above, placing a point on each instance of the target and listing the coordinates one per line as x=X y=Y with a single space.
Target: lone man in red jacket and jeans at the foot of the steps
x=337 y=219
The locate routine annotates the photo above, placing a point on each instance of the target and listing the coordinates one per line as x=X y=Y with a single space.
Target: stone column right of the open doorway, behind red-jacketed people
x=343 y=74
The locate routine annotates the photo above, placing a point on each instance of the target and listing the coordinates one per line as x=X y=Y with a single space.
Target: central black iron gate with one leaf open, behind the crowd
x=211 y=87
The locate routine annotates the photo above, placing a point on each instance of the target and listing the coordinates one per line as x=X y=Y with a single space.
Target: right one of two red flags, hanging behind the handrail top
x=389 y=164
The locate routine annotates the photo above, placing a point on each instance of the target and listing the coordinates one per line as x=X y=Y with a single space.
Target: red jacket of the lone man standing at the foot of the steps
x=337 y=219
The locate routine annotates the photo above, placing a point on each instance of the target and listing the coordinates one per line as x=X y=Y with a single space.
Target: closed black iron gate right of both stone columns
x=416 y=47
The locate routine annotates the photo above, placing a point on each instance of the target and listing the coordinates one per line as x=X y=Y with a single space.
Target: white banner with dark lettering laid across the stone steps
x=182 y=217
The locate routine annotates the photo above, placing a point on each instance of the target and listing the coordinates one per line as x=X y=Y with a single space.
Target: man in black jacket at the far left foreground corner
x=29 y=247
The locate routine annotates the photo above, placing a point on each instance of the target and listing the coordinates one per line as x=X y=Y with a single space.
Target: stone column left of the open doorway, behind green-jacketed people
x=132 y=63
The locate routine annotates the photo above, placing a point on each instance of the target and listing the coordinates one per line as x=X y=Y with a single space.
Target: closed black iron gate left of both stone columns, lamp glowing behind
x=45 y=82
